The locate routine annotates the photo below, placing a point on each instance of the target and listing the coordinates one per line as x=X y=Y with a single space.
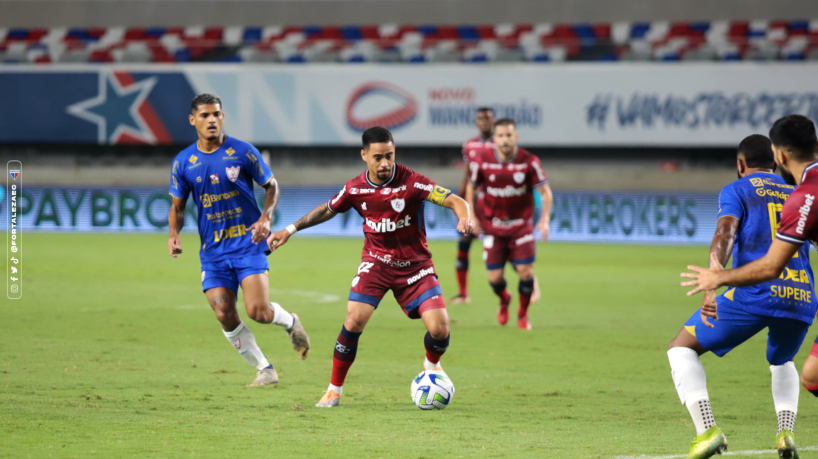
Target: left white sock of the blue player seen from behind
x=691 y=384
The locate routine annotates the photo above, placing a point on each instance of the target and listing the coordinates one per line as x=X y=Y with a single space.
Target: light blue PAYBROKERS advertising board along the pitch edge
x=638 y=218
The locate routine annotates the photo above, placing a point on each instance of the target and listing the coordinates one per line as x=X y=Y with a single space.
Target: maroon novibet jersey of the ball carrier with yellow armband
x=394 y=229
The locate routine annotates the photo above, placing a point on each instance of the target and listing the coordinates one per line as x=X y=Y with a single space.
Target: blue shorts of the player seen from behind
x=735 y=326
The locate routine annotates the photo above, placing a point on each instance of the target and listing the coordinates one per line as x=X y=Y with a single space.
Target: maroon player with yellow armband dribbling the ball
x=390 y=198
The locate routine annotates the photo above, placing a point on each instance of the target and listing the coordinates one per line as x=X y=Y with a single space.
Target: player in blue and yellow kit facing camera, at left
x=219 y=171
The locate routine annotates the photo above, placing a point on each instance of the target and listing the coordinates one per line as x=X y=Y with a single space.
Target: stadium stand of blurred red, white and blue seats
x=654 y=41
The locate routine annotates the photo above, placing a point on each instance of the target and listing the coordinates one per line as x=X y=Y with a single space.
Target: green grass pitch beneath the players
x=114 y=352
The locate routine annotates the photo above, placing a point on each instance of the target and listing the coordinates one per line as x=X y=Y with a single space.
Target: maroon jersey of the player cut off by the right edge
x=799 y=215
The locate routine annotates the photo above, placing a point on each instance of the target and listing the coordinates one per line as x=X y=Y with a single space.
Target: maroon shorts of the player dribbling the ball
x=415 y=287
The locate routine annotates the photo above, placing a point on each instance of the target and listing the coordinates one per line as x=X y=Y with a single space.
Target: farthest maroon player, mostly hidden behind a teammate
x=484 y=120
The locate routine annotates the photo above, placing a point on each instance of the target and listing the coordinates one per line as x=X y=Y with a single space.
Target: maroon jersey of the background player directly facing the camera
x=509 y=204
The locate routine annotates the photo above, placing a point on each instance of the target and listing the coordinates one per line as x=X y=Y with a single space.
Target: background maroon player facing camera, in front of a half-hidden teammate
x=509 y=174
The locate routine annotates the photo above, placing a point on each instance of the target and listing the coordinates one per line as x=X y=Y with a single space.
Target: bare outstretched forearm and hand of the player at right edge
x=765 y=268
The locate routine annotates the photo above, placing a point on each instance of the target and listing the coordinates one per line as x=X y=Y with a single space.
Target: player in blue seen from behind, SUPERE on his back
x=749 y=216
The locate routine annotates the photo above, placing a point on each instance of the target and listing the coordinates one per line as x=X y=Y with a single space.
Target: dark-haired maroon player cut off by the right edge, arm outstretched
x=796 y=152
